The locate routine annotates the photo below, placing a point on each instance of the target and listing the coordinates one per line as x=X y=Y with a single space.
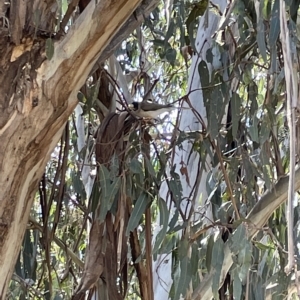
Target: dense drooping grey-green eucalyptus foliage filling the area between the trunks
x=248 y=150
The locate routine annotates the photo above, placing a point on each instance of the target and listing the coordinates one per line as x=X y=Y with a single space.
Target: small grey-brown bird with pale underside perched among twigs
x=149 y=109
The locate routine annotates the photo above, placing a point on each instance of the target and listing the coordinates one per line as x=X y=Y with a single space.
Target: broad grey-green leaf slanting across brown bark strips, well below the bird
x=137 y=212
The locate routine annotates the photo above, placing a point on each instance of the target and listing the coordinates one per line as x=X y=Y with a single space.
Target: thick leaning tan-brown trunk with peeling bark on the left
x=36 y=98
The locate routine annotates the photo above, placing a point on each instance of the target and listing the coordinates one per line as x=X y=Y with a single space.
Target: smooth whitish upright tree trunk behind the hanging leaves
x=193 y=179
